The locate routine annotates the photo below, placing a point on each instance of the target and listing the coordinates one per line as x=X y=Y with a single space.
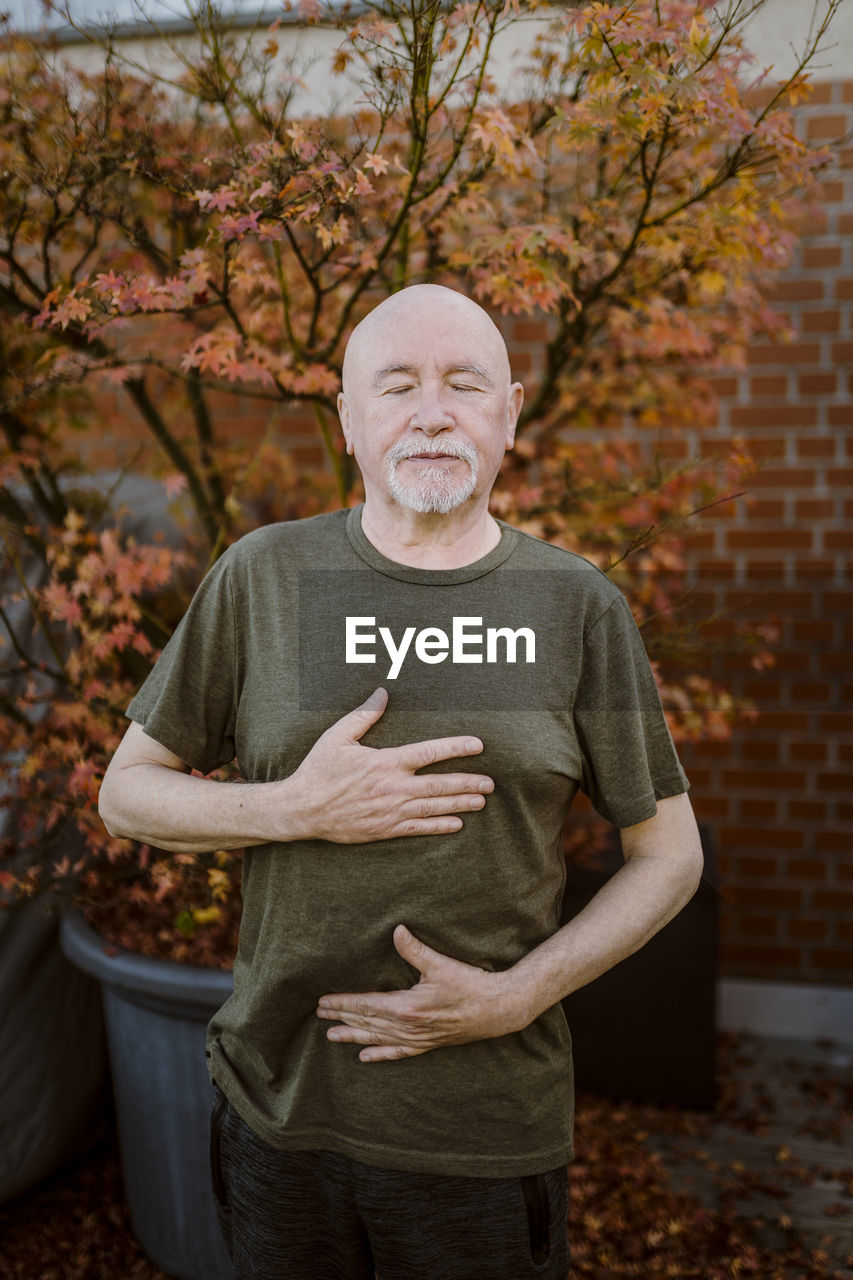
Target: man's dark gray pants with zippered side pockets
x=314 y=1215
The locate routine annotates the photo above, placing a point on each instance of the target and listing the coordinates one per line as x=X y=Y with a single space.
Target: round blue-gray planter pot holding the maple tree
x=157 y=1014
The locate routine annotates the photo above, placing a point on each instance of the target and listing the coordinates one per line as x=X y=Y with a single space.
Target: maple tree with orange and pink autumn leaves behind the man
x=633 y=182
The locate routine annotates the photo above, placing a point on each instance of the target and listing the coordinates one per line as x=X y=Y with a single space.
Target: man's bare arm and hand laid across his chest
x=343 y=792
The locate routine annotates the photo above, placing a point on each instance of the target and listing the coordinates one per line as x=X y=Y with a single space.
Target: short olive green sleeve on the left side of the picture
x=189 y=701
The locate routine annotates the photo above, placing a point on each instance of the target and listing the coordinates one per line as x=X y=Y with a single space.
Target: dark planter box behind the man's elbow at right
x=645 y=1031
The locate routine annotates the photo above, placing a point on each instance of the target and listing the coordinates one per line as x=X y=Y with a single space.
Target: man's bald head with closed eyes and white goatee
x=428 y=409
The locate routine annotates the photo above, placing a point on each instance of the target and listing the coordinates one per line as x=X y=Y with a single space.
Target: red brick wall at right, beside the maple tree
x=779 y=796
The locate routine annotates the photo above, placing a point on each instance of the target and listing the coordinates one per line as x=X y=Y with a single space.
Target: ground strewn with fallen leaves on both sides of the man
x=761 y=1187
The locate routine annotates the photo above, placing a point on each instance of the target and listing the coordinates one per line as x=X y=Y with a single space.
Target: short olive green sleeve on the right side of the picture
x=630 y=761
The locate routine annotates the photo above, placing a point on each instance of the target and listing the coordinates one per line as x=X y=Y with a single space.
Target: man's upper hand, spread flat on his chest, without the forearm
x=353 y=794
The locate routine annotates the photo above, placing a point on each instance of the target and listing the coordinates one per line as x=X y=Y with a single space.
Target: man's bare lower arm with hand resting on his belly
x=457 y=1003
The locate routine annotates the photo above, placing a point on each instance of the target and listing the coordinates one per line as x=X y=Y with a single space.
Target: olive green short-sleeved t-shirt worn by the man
x=533 y=651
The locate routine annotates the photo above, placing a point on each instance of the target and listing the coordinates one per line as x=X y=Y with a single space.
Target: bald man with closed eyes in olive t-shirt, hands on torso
x=394 y=1066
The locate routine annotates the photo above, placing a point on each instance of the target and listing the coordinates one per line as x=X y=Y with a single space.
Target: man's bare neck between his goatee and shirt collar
x=407 y=537
